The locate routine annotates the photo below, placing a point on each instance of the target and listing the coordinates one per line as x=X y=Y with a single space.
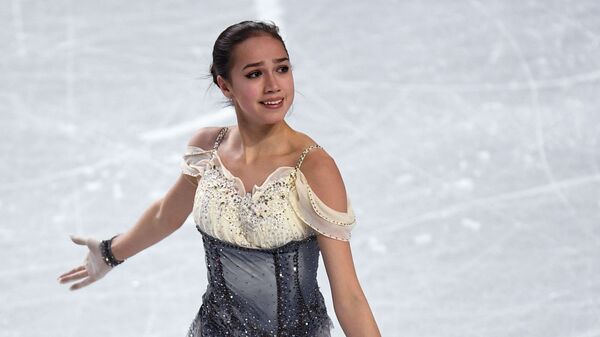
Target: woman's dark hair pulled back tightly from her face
x=233 y=35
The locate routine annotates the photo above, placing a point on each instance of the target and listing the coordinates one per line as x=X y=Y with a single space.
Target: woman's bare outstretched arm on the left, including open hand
x=162 y=218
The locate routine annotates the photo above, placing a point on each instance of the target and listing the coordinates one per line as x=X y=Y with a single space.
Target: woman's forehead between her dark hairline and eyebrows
x=257 y=48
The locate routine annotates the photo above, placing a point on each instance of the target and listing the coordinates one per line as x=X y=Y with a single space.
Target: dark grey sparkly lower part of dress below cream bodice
x=261 y=292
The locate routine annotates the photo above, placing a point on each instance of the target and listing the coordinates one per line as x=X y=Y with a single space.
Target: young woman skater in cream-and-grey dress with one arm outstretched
x=266 y=199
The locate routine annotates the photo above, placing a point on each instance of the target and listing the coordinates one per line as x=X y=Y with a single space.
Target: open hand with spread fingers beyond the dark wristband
x=93 y=267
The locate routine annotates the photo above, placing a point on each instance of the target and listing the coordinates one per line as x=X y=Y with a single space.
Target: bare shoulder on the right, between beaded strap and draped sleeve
x=325 y=179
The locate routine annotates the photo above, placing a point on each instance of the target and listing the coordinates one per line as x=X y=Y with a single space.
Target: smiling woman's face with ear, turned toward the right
x=260 y=84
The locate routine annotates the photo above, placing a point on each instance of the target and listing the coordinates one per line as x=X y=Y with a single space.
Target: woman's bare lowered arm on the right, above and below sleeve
x=350 y=304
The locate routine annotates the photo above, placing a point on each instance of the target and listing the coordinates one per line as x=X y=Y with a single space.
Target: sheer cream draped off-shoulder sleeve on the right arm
x=316 y=214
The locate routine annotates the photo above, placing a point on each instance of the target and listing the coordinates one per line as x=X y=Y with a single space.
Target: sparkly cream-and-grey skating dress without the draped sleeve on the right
x=261 y=258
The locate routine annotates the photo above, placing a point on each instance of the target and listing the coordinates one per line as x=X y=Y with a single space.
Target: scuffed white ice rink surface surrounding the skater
x=467 y=133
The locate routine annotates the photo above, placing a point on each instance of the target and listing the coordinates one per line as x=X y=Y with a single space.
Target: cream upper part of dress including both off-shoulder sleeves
x=219 y=199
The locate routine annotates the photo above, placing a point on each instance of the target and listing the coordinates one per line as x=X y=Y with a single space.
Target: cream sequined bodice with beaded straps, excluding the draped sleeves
x=262 y=218
